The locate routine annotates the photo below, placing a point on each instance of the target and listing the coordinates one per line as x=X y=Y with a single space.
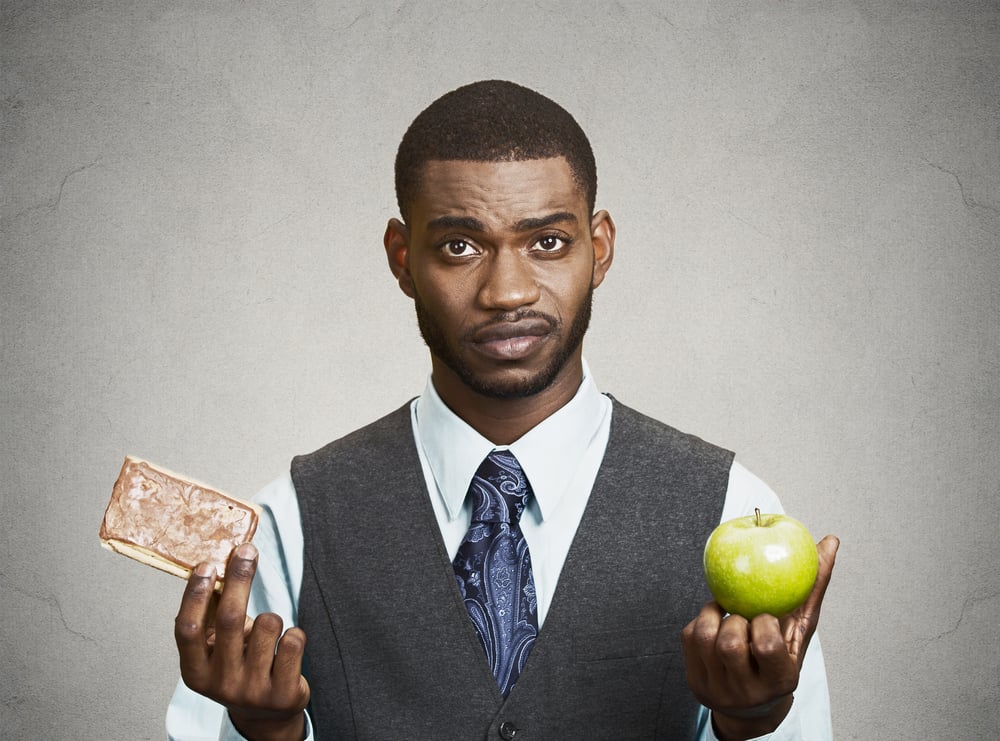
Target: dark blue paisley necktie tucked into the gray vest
x=493 y=568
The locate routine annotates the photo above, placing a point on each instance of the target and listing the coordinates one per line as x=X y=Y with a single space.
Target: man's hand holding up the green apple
x=746 y=671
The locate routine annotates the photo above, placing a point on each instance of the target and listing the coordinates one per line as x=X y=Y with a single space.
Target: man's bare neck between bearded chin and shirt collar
x=503 y=421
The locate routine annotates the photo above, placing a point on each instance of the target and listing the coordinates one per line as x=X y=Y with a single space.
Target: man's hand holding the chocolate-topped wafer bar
x=233 y=660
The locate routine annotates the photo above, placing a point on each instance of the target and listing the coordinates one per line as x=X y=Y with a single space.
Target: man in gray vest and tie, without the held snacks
x=561 y=617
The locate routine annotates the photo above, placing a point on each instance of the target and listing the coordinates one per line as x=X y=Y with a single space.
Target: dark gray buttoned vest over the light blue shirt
x=391 y=652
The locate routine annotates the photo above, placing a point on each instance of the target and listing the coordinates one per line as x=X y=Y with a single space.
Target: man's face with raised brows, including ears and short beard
x=500 y=263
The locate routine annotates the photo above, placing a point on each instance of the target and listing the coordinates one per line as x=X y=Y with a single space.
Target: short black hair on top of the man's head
x=492 y=121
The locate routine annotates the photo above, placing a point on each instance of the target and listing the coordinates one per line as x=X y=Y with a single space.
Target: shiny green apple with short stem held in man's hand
x=760 y=564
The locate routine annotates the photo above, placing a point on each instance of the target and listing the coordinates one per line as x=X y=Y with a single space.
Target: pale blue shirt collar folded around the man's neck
x=549 y=453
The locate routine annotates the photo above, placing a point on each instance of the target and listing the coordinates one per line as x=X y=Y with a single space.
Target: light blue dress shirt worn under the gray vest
x=560 y=457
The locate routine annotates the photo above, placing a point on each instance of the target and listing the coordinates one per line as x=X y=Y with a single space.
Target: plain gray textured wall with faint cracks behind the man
x=807 y=272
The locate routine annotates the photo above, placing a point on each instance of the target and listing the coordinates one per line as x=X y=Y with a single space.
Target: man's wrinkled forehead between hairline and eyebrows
x=497 y=192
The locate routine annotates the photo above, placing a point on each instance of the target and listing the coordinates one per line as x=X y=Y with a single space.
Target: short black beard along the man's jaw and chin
x=569 y=338
